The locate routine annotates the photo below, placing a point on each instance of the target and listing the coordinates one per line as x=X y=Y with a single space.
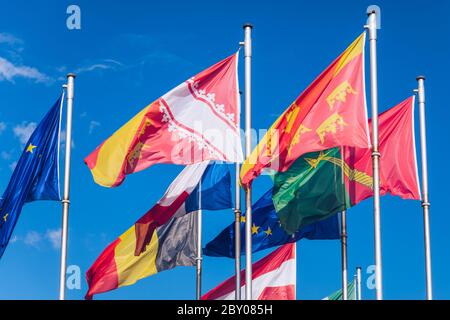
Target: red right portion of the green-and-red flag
x=398 y=163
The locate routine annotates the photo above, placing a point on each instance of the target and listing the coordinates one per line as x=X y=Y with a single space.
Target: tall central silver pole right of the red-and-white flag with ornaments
x=248 y=149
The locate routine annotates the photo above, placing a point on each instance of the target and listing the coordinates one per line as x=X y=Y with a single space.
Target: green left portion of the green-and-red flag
x=312 y=189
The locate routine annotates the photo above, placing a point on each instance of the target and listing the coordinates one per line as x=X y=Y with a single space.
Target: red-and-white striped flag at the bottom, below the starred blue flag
x=273 y=278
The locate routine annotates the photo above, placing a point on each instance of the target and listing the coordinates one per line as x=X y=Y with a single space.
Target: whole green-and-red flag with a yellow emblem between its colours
x=320 y=184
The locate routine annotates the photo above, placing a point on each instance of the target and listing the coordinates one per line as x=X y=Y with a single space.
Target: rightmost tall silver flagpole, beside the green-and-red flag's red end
x=425 y=200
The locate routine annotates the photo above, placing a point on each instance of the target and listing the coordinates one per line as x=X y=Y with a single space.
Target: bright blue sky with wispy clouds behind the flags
x=127 y=55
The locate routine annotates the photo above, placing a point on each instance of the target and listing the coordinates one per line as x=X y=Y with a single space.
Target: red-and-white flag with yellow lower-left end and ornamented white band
x=196 y=121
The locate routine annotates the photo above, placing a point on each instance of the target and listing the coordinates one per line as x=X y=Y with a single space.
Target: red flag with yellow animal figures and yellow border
x=330 y=112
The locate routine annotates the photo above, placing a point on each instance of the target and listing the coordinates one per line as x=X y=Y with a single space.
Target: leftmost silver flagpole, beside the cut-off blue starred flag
x=66 y=199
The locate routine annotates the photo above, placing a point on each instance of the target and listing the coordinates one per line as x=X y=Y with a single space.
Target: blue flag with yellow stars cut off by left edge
x=36 y=176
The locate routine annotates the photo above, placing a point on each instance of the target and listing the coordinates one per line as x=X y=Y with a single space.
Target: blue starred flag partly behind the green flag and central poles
x=267 y=231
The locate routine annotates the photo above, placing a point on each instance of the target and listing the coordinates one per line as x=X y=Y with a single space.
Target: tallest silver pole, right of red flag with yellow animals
x=372 y=26
